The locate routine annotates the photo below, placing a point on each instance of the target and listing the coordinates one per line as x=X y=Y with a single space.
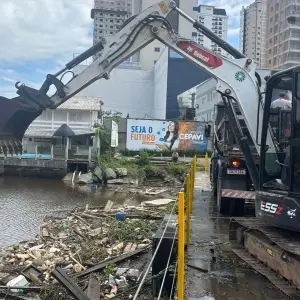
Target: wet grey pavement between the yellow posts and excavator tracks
x=228 y=277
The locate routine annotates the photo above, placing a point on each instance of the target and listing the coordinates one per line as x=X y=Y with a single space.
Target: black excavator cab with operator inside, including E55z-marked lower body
x=278 y=196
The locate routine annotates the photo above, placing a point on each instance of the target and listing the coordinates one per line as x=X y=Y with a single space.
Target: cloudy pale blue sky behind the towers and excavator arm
x=39 y=36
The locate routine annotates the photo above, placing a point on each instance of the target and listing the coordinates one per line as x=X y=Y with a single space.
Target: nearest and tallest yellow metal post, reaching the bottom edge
x=180 y=280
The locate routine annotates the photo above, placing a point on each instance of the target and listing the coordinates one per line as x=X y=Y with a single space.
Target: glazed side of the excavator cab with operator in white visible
x=277 y=121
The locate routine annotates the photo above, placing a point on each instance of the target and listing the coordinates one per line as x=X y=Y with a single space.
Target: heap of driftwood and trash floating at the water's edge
x=78 y=256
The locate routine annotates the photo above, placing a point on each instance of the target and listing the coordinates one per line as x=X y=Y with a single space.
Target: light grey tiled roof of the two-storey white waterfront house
x=82 y=103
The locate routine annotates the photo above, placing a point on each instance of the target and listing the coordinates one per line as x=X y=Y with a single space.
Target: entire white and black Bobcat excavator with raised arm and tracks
x=270 y=241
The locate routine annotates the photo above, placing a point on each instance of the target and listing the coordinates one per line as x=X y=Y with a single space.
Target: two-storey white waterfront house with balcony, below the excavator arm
x=80 y=114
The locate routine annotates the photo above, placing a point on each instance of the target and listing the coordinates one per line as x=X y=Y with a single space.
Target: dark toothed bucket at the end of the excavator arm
x=15 y=117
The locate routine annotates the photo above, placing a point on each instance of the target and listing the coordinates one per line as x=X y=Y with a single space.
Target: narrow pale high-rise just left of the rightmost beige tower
x=253 y=26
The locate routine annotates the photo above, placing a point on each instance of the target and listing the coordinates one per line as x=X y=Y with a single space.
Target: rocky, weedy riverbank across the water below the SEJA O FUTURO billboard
x=135 y=172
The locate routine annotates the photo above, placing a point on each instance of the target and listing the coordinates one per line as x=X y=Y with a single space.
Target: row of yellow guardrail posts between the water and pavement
x=185 y=200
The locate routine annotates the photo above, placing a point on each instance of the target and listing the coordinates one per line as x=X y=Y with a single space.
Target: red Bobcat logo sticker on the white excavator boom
x=201 y=55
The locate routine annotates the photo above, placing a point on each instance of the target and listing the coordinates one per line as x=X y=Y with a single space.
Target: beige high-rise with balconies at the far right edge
x=283 y=33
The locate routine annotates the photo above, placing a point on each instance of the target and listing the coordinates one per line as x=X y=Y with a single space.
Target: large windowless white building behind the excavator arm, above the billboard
x=130 y=90
